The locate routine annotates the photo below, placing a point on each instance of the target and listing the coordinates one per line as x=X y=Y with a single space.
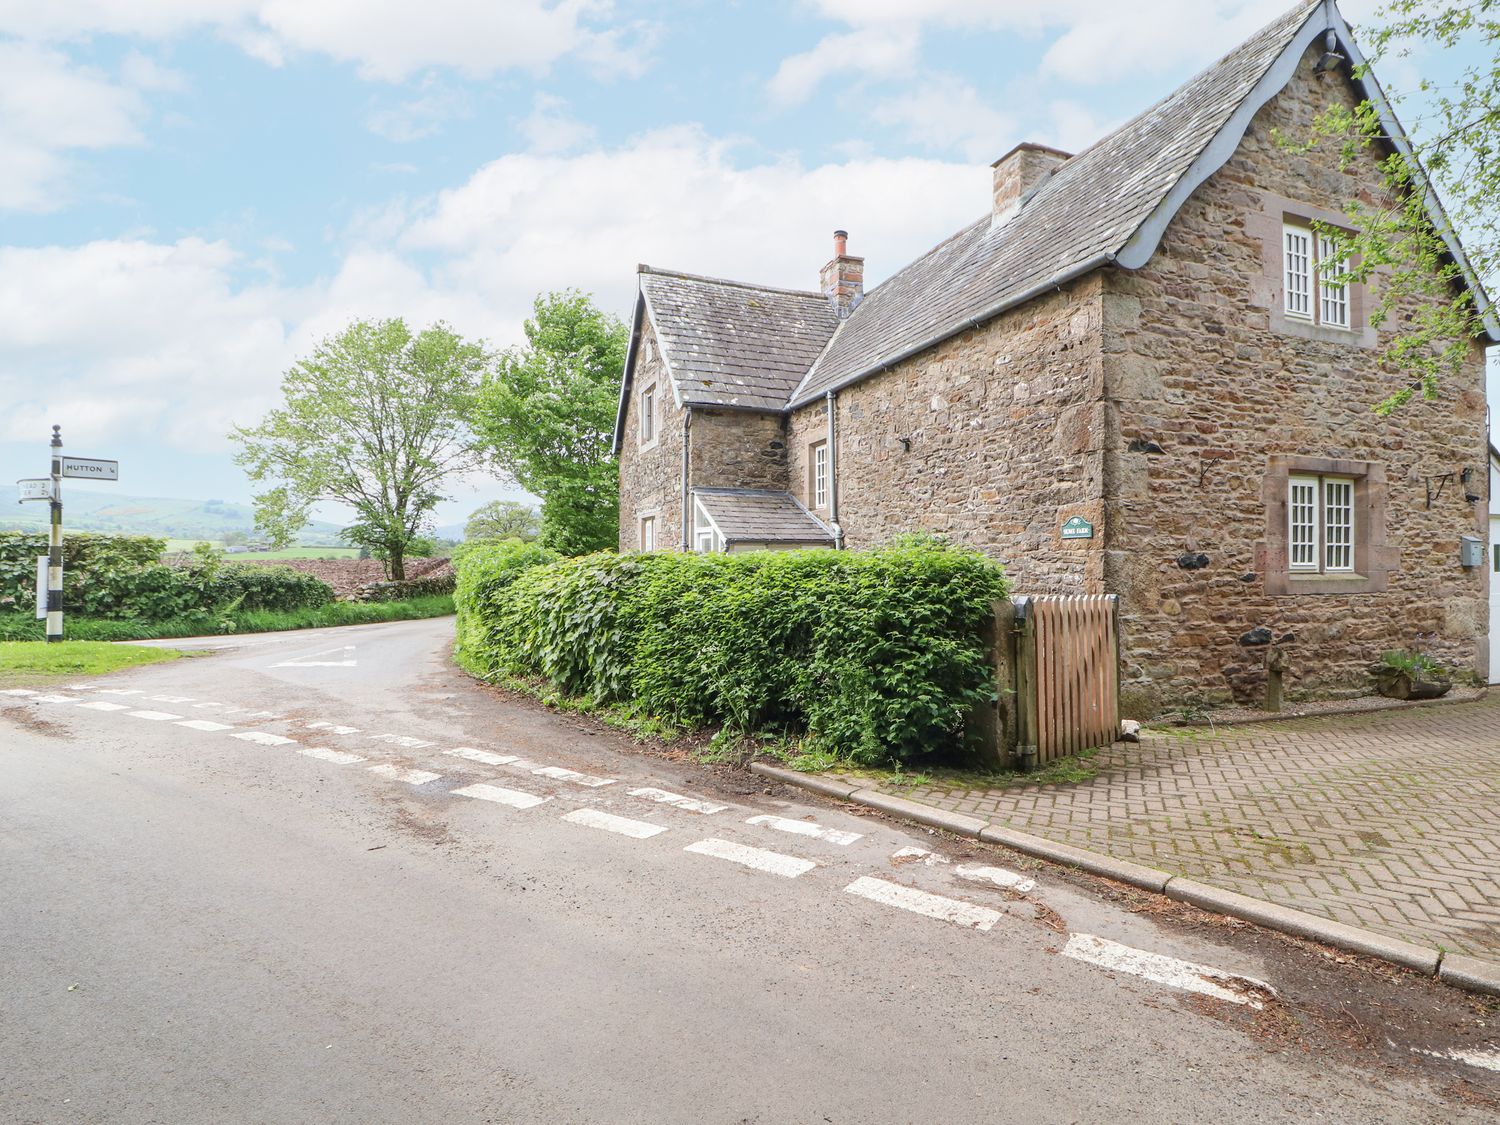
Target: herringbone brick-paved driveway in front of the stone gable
x=1390 y=821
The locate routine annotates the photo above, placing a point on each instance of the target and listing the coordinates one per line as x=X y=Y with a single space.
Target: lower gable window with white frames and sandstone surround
x=1325 y=527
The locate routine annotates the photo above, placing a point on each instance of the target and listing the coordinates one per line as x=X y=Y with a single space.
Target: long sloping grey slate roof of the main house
x=1088 y=208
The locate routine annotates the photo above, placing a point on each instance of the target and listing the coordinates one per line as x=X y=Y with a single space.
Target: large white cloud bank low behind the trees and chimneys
x=178 y=341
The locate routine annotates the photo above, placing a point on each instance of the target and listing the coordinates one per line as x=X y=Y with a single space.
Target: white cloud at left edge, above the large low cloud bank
x=49 y=109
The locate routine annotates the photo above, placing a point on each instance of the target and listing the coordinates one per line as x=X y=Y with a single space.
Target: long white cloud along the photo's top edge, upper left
x=386 y=40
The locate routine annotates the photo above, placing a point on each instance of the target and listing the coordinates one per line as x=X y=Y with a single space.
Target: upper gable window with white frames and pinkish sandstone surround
x=1294 y=287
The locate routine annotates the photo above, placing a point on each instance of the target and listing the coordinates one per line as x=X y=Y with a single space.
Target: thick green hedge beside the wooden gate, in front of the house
x=875 y=655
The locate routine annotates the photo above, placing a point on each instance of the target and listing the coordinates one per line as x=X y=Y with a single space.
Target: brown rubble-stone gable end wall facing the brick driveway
x=1201 y=362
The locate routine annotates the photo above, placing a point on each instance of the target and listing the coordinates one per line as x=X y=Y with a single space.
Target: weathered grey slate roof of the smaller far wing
x=728 y=344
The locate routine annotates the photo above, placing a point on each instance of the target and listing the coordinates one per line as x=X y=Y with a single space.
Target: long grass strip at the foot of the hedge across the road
x=25 y=628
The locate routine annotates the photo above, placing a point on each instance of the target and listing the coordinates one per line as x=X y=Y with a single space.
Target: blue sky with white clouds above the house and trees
x=196 y=193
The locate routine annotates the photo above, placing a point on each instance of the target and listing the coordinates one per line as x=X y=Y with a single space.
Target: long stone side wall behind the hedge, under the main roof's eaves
x=1003 y=433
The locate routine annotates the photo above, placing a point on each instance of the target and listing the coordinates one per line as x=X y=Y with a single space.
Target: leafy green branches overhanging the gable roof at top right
x=1456 y=158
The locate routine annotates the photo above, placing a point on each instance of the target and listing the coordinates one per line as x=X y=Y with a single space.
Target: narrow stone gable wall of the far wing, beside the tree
x=652 y=479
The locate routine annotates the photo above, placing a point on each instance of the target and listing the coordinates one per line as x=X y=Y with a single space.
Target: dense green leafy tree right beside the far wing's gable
x=548 y=416
